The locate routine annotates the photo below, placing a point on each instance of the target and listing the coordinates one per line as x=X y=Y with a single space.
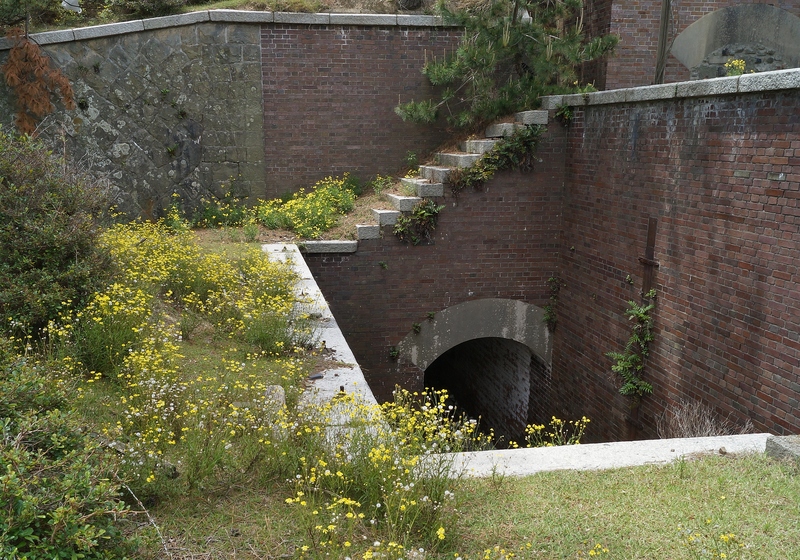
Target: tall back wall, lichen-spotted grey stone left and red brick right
x=208 y=103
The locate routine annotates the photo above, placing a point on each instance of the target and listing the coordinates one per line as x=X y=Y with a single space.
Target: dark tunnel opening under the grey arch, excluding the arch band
x=499 y=380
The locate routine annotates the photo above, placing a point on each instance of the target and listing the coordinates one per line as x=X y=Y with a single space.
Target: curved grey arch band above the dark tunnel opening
x=476 y=319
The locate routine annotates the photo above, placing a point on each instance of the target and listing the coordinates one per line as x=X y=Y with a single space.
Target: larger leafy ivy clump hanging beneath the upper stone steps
x=511 y=152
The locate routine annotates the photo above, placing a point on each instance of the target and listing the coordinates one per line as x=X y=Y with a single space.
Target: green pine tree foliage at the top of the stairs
x=513 y=52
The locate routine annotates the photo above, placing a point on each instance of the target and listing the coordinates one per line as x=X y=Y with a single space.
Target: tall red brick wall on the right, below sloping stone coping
x=728 y=315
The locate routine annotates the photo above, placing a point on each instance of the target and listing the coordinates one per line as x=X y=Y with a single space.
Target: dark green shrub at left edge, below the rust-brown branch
x=49 y=217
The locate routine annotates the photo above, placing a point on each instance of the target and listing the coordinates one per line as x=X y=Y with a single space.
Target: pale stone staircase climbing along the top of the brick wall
x=430 y=183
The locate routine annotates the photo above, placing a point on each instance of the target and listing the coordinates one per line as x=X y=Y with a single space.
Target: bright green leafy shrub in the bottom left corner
x=58 y=488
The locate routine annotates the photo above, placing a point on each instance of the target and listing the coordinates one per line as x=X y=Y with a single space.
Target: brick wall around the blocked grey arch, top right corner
x=636 y=23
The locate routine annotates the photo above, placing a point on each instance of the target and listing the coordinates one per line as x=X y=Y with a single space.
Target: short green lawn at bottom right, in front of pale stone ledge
x=638 y=512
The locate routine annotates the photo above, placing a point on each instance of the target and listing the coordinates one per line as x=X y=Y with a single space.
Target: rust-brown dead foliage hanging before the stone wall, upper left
x=34 y=81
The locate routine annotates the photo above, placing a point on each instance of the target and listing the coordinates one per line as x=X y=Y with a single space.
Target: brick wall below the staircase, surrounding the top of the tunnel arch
x=499 y=243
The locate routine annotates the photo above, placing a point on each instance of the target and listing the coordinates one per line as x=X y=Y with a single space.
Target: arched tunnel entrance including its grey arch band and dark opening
x=493 y=356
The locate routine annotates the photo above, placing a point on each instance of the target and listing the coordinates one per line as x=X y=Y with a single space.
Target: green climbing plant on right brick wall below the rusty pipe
x=629 y=364
